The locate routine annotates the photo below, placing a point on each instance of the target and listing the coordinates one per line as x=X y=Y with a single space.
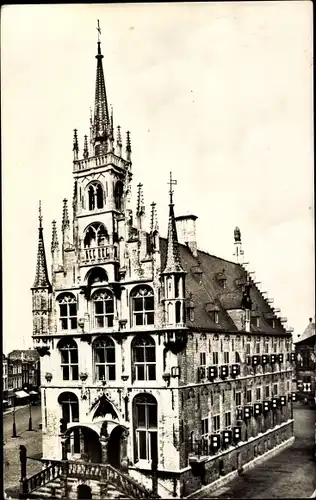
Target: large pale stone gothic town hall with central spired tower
x=154 y=354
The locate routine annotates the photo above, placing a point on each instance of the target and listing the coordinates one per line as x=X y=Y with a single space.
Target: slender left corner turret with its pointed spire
x=41 y=289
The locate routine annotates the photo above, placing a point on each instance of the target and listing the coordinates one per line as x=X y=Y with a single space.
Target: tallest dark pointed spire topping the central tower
x=101 y=121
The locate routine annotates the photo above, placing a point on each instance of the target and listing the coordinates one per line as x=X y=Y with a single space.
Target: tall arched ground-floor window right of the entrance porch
x=145 y=427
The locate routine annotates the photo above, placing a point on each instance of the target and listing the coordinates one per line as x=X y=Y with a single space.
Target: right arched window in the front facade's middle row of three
x=144 y=358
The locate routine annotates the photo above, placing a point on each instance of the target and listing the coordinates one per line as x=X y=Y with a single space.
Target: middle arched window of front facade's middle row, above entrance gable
x=104 y=359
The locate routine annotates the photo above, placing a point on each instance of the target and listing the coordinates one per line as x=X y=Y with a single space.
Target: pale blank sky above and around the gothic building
x=219 y=93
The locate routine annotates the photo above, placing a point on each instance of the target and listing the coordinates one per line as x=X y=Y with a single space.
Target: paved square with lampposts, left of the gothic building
x=31 y=439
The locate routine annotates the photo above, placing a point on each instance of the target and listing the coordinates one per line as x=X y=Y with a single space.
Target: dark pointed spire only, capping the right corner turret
x=173 y=261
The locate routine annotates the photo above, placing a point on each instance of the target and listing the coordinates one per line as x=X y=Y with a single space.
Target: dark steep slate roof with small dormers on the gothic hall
x=204 y=281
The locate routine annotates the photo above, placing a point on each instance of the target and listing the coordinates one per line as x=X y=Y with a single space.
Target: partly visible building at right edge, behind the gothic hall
x=305 y=351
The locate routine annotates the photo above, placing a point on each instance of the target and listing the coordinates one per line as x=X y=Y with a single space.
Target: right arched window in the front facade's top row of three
x=143 y=306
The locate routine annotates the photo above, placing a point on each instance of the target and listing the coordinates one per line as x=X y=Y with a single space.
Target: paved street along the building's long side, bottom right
x=290 y=474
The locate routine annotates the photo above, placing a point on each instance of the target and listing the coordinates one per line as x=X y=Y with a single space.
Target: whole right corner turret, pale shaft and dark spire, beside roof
x=173 y=273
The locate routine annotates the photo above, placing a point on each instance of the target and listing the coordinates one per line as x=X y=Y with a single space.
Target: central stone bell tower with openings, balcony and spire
x=101 y=178
